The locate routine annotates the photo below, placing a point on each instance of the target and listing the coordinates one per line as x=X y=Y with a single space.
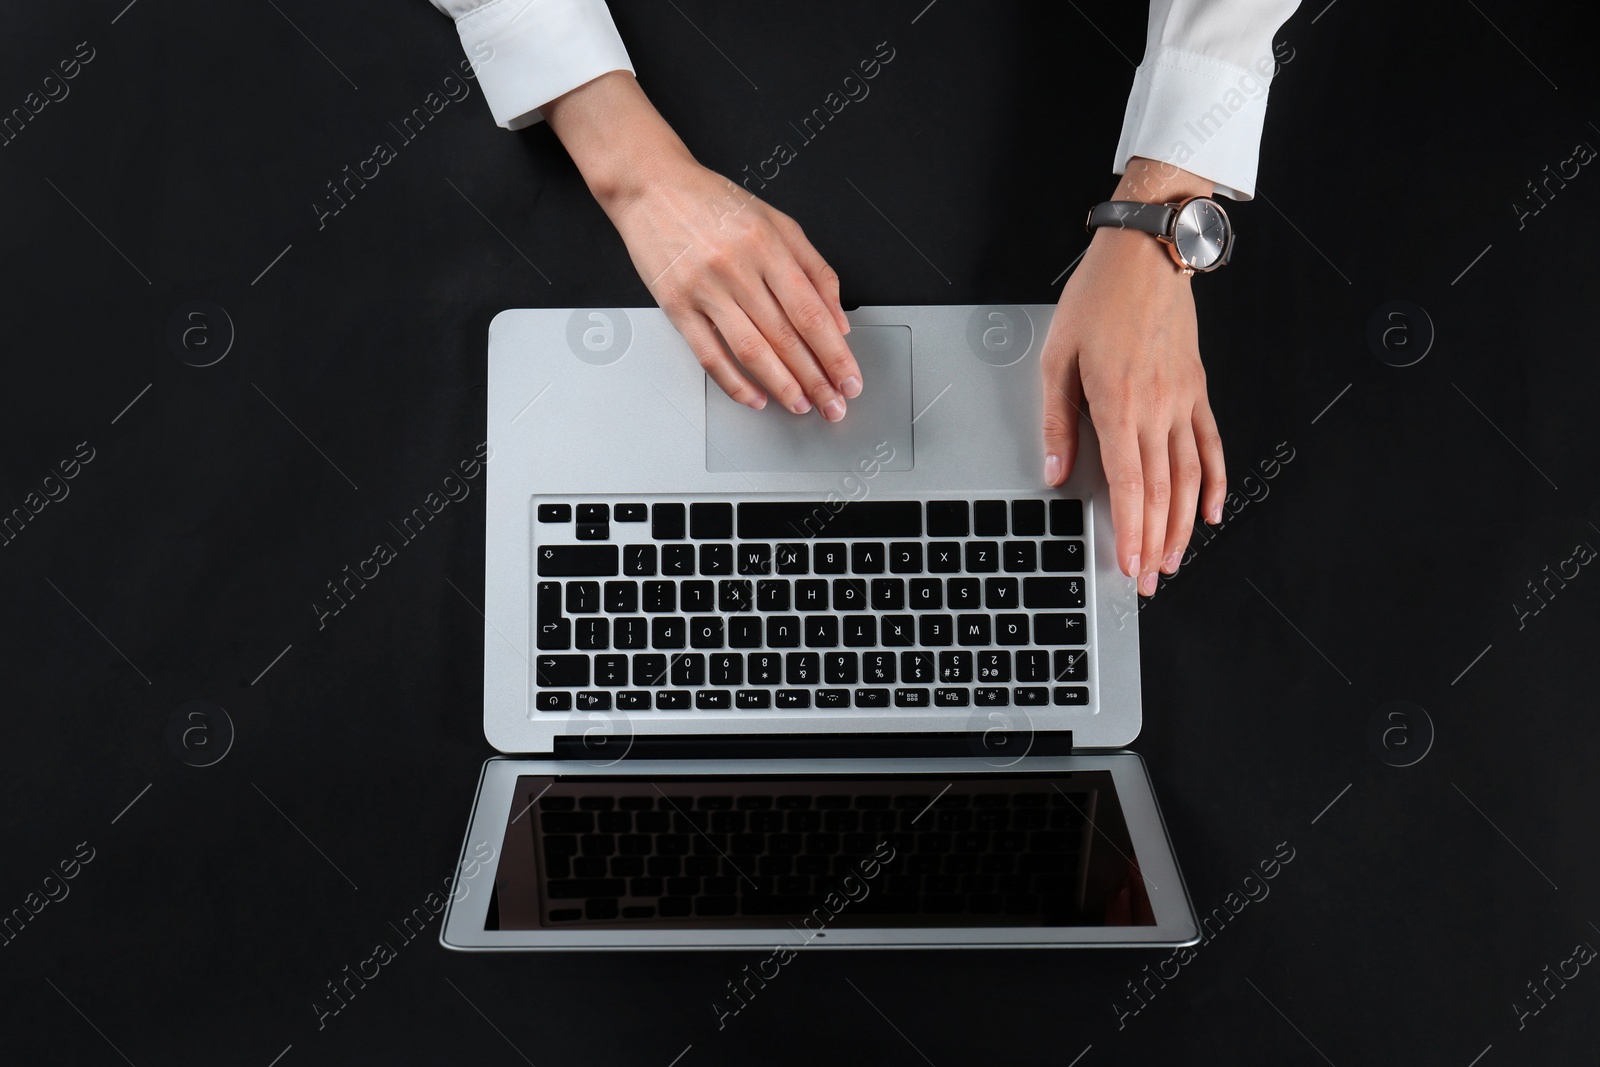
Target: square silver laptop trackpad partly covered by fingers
x=878 y=428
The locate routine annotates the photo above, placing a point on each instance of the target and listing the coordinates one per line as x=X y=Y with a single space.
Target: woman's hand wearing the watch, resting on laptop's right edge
x=1124 y=342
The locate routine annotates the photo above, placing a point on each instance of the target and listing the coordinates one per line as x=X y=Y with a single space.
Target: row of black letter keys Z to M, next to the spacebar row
x=798 y=557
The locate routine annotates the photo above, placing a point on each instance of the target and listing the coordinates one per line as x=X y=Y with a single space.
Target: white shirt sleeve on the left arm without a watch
x=526 y=54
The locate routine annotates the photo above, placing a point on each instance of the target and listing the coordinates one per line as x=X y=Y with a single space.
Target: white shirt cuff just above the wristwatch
x=1201 y=114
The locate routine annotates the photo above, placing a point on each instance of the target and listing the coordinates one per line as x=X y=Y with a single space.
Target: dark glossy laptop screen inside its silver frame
x=818 y=852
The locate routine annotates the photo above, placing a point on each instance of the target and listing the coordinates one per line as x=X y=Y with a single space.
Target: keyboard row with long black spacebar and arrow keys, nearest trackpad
x=714 y=521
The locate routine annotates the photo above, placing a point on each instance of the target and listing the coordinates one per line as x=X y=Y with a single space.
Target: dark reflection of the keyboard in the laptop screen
x=663 y=852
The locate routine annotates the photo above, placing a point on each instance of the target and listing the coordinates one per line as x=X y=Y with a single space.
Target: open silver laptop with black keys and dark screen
x=767 y=682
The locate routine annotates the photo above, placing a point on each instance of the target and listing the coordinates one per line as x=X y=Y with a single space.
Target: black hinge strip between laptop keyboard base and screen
x=982 y=745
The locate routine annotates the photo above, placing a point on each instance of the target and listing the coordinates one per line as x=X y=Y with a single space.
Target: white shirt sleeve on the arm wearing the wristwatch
x=1201 y=95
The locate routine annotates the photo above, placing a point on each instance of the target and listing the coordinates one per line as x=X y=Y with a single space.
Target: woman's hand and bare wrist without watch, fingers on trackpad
x=756 y=302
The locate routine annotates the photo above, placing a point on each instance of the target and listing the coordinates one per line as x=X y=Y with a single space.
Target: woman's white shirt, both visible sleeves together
x=1199 y=97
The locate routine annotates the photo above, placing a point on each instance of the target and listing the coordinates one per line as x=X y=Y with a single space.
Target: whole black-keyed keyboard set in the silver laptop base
x=770 y=604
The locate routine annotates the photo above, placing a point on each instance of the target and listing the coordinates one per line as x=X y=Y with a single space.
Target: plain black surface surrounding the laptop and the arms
x=1383 y=564
